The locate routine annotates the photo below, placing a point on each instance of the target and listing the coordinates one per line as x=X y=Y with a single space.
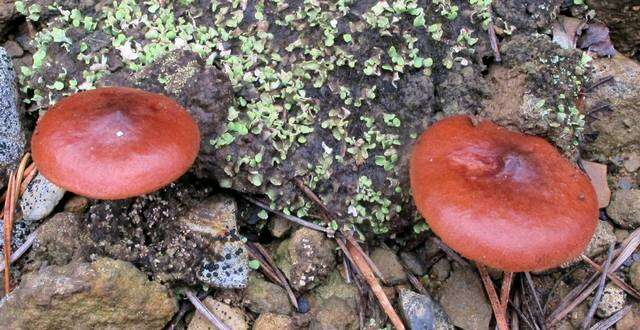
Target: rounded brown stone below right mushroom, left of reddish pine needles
x=462 y=298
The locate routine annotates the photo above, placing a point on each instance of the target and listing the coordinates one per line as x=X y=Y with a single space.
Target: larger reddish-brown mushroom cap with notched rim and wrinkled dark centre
x=501 y=198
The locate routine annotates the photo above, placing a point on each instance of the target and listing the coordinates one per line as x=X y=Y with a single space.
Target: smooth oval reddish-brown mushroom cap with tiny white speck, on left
x=114 y=143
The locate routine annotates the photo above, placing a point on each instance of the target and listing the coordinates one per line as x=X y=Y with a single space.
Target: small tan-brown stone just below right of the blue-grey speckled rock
x=261 y=296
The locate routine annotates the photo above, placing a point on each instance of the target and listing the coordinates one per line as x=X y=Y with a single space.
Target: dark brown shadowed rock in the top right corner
x=623 y=18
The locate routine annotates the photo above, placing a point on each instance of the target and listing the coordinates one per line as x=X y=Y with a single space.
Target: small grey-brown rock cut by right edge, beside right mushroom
x=624 y=209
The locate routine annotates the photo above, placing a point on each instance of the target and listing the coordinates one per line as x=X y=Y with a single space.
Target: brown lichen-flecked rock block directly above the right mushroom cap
x=534 y=91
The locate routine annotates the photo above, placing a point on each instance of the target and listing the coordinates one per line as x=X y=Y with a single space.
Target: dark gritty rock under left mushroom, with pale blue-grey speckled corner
x=177 y=234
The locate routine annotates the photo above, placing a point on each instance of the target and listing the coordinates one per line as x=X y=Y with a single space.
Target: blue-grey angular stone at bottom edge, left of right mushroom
x=421 y=312
